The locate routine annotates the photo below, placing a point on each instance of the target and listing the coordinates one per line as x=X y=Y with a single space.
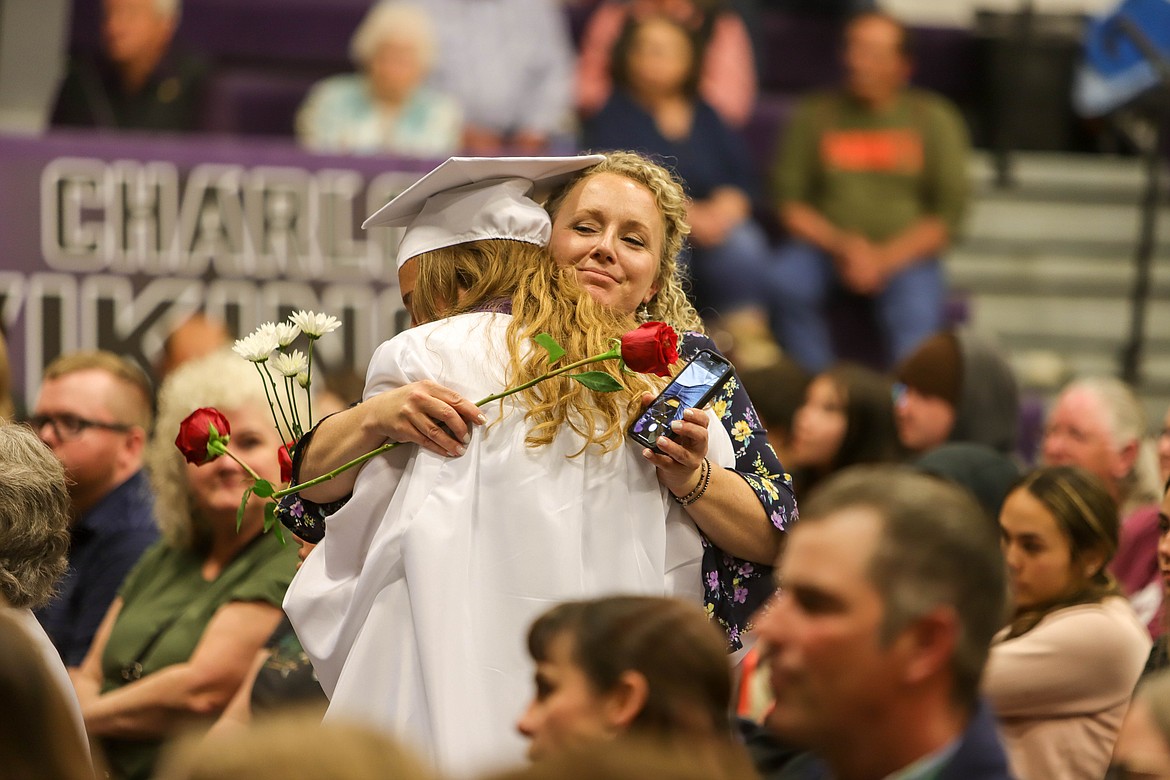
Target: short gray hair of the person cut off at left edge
x=35 y=519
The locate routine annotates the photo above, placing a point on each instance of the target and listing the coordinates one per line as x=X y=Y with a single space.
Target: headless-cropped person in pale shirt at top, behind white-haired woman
x=508 y=64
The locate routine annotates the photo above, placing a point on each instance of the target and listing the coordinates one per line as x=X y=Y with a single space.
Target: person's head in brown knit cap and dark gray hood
x=956 y=388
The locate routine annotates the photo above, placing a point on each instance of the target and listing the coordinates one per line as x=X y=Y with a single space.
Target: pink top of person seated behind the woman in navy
x=728 y=80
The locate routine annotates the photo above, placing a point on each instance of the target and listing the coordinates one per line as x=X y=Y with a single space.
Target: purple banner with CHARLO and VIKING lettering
x=113 y=241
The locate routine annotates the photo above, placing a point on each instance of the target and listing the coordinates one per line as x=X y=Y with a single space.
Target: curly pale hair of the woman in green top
x=223 y=381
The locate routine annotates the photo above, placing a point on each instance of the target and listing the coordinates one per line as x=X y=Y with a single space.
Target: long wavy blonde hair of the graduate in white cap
x=545 y=300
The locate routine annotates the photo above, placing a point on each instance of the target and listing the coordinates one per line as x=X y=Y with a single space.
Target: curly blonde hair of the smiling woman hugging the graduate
x=671 y=305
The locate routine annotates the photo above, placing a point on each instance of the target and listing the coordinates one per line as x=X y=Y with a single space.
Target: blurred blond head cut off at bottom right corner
x=1143 y=751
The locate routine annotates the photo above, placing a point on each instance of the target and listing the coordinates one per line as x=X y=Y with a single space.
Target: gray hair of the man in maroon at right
x=1127 y=423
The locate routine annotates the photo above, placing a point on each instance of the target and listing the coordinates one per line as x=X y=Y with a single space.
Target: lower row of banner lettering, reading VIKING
x=64 y=313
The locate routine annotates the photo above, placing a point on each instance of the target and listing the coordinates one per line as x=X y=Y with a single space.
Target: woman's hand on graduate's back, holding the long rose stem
x=425 y=413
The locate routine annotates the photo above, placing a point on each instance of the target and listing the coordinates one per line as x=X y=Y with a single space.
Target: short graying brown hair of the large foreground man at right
x=937 y=549
